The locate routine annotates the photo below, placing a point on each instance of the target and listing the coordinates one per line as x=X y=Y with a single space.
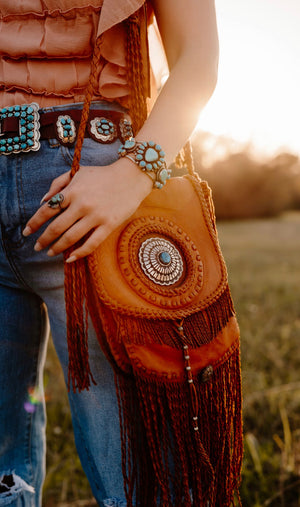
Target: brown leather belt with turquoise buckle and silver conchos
x=22 y=127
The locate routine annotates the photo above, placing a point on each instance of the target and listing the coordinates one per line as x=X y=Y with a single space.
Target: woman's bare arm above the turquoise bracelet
x=192 y=51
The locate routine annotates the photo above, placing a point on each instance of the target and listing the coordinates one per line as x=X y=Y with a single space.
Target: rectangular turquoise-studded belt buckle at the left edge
x=27 y=139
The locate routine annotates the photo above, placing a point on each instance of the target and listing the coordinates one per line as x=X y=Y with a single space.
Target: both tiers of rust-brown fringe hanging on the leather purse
x=165 y=461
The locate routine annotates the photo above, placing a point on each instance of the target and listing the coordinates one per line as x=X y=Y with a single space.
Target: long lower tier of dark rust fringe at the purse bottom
x=165 y=461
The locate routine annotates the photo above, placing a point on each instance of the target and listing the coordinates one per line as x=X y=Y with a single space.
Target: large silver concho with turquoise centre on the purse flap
x=161 y=261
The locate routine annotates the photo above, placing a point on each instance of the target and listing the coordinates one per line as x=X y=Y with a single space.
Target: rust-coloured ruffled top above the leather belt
x=46 y=48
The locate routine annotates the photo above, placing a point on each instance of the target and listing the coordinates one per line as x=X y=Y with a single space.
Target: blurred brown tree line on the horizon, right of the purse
x=244 y=186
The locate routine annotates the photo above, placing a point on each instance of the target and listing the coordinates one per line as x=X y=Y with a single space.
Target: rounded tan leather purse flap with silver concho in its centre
x=164 y=261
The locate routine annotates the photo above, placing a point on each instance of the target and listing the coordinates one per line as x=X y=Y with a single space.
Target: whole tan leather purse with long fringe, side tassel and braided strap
x=158 y=295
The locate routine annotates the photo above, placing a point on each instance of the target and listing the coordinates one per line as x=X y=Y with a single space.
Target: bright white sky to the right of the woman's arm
x=257 y=98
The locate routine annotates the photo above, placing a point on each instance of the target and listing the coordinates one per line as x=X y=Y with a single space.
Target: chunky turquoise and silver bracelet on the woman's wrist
x=149 y=157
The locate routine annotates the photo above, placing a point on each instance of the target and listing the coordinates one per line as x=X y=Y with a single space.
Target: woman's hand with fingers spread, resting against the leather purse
x=96 y=201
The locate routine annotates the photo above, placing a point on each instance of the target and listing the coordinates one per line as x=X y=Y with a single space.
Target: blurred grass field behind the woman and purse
x=263 y=258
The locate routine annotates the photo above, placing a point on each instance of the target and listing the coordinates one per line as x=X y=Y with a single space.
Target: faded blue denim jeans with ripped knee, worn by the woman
x=31 y=288
